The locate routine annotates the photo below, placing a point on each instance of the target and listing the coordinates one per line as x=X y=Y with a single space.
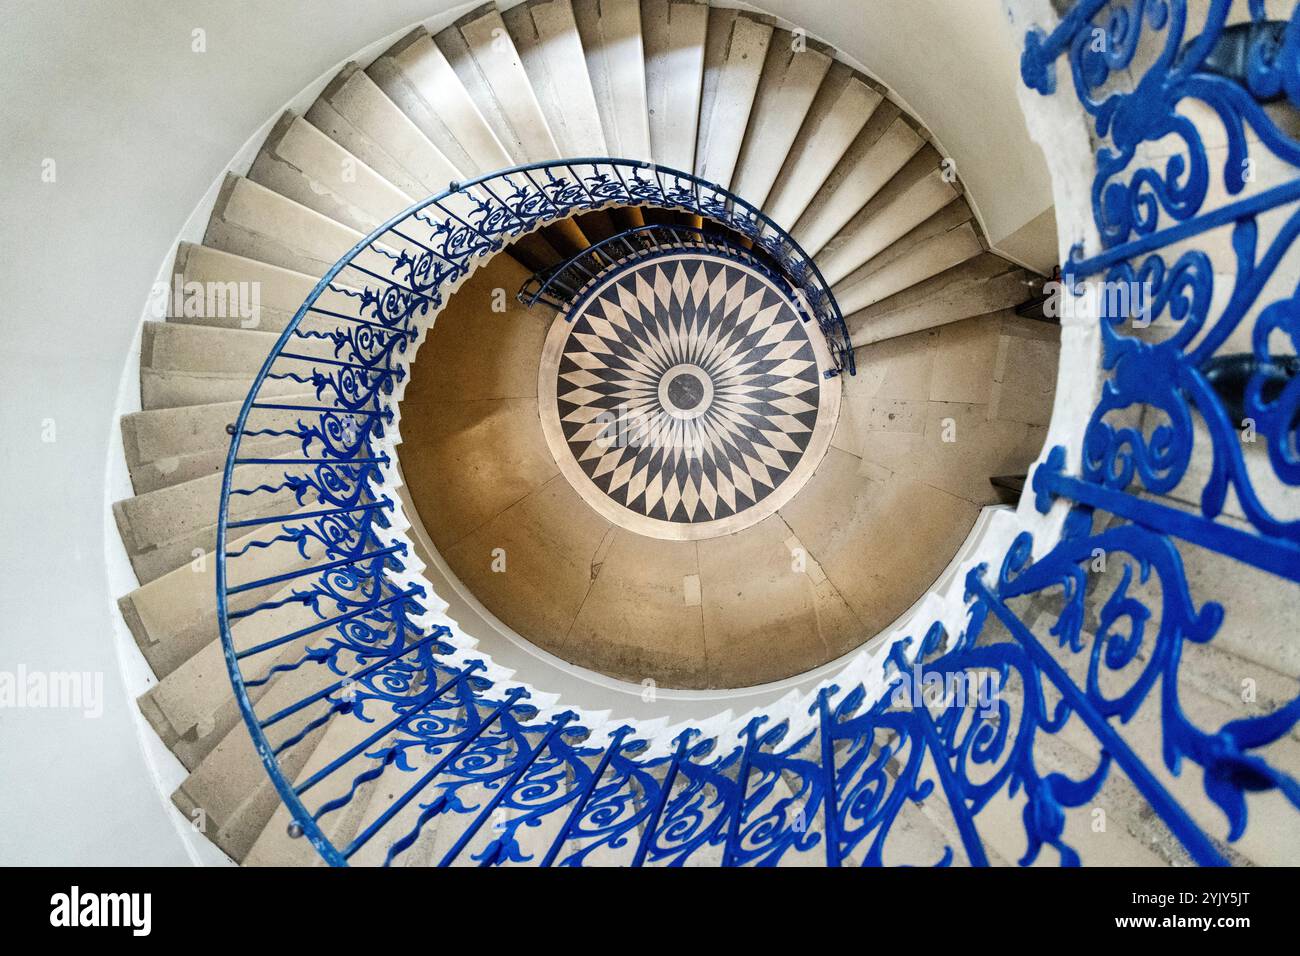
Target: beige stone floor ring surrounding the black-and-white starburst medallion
x=874 y=527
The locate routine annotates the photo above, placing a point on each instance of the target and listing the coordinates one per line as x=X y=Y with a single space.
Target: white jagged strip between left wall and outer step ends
x=166 y=769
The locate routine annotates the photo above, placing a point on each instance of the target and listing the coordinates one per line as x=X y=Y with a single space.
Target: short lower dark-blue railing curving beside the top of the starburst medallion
x=560 y=285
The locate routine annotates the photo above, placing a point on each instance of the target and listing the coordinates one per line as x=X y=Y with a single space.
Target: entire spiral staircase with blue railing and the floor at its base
x=323 y=485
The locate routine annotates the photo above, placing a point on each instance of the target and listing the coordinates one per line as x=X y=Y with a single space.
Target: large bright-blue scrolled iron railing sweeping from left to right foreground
x=1073 y=639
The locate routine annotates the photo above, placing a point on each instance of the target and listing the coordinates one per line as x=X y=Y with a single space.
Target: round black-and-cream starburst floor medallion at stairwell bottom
x=684 y=395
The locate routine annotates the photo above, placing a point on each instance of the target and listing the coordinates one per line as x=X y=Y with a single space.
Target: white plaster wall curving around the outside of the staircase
x=140 y=127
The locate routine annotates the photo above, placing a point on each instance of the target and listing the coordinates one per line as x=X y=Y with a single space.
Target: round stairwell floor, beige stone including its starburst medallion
x=571 y=542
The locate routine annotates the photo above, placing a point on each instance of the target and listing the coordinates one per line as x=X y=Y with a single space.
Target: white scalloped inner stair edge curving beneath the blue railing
x=726 y=715
